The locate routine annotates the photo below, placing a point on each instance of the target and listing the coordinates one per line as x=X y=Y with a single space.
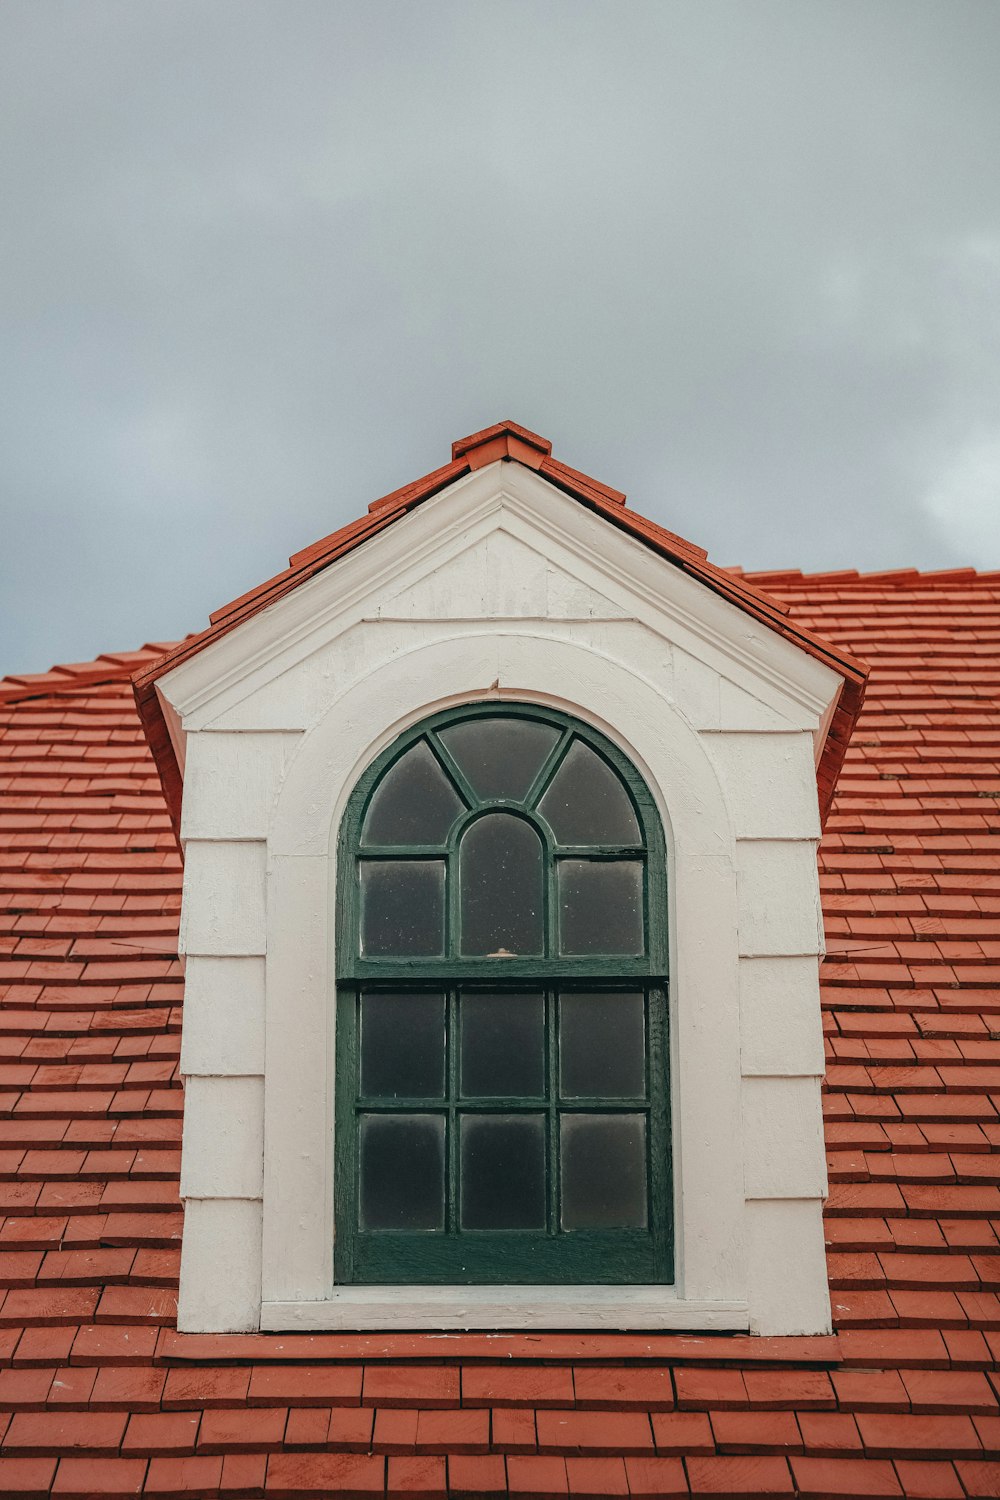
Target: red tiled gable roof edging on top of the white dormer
x=504 y=443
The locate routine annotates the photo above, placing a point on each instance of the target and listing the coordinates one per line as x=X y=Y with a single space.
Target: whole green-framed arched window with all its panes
x=501 y=1085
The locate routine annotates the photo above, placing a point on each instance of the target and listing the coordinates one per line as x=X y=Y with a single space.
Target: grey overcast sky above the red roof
x=263 y=260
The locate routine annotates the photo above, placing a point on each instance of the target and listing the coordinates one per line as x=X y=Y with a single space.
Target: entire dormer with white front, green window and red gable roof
x=454 y=787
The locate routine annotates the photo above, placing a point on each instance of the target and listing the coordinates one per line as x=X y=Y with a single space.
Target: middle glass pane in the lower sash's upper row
x=503 y=1046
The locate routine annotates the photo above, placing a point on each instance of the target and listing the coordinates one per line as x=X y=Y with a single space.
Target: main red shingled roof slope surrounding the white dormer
x=106 y=1399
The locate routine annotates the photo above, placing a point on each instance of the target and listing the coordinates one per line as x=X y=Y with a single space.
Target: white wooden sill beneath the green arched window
x=359 y=1309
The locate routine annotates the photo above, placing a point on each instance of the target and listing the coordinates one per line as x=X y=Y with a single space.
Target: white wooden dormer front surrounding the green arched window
x=501 y=589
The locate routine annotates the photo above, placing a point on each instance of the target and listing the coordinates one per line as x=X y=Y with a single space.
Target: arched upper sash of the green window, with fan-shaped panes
x=501 y=836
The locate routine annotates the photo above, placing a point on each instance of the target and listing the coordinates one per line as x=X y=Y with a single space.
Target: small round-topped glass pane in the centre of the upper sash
x=501 y=887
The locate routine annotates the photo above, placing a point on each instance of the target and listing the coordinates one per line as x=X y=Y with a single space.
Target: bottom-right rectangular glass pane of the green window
x=603 y=1172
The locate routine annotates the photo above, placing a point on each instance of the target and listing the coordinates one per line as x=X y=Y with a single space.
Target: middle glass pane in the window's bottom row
x=503 y=1172
